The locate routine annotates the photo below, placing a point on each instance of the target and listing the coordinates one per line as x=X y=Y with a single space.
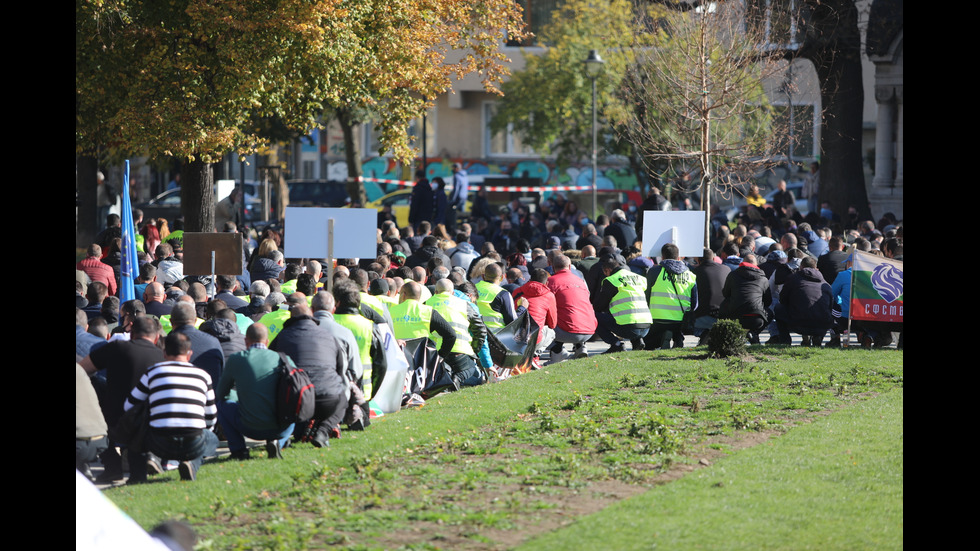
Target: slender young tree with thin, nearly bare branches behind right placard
x=697 y=99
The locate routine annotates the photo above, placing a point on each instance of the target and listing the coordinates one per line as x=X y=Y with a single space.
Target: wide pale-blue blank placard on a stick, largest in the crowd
x=355 y=232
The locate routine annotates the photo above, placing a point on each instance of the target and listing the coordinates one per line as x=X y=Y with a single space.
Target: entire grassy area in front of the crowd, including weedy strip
x=492 y=467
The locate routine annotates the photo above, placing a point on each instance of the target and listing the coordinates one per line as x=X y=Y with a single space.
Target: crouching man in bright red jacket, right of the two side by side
x=576 y=318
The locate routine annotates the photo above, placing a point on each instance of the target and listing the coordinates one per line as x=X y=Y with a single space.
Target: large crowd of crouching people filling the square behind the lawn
x=202 y=353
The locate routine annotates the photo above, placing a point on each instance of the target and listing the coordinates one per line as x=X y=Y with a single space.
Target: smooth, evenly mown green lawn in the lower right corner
x=836 y=483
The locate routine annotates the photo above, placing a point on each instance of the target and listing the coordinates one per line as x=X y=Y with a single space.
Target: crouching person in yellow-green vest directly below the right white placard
x=672 y=292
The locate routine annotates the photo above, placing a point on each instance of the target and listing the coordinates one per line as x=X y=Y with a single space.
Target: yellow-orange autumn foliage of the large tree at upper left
x=194 y=79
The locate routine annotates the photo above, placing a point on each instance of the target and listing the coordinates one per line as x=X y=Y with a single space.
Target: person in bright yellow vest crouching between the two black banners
x=470 y=332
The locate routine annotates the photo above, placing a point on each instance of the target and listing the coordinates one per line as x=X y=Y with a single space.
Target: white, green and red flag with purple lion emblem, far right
x=877 y=291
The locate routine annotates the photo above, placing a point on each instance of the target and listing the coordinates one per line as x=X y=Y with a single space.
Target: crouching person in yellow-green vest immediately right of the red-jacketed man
x=621 y=306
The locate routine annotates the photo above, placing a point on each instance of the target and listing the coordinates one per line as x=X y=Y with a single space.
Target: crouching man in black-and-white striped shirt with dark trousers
x=182 y=410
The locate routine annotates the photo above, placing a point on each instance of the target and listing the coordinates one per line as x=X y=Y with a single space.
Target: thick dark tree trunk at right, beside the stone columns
x=833 y=44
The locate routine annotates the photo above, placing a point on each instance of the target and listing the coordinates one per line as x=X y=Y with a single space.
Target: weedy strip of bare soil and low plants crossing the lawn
x=549 y=466
